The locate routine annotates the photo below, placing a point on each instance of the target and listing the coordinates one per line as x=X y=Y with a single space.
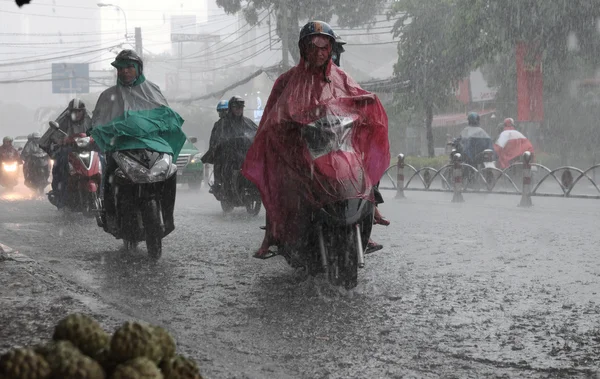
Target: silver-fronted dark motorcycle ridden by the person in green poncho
x=139 y=200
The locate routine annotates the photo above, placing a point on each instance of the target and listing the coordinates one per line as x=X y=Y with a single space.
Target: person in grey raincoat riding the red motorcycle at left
x=74 y=120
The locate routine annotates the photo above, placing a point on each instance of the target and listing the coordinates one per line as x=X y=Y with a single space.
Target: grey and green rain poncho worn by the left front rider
x=137 y=117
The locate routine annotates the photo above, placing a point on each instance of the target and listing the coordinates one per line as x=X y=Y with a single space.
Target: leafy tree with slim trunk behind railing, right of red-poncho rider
x=428 y=56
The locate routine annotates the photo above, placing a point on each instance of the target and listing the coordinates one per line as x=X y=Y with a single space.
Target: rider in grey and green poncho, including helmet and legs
x=134 y=114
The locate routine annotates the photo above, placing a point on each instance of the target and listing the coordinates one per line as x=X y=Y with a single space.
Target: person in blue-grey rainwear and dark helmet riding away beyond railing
x=473 y=141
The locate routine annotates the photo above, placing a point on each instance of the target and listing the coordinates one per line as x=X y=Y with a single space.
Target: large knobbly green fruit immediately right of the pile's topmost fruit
x=133 y=340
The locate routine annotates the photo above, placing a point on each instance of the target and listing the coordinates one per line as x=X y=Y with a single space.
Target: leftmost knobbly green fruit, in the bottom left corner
x=24 y=364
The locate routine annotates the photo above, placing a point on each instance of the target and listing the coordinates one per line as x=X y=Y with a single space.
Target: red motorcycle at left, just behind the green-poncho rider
x=85 y=172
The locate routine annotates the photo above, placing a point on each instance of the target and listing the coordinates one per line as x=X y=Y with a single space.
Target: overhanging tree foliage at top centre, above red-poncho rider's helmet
x=289 y=14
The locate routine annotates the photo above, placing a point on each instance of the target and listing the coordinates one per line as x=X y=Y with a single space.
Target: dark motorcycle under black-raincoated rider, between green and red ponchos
x=236 y=190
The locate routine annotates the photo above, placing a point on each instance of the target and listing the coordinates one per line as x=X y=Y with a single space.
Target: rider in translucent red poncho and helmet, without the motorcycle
x=276 y=161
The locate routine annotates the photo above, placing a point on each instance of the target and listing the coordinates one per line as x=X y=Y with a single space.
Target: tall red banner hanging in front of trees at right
x=530 y=86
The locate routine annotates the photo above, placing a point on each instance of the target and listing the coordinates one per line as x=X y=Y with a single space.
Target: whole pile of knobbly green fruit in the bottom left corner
x=81 y=349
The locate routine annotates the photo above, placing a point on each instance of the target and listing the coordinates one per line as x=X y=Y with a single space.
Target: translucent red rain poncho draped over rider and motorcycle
x=279 y=162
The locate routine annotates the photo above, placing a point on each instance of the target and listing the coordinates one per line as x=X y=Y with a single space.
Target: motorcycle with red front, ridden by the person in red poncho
x=334 y=235
